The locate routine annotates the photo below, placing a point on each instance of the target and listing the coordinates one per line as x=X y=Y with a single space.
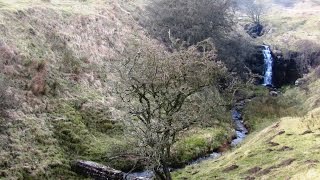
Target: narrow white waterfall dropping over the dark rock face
x=268 y=62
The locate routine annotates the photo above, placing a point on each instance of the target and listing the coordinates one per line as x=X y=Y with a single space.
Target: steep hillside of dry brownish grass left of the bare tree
x=55 y=80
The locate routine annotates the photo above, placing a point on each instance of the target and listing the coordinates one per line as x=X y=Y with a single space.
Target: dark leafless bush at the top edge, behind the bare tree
x=188 y=20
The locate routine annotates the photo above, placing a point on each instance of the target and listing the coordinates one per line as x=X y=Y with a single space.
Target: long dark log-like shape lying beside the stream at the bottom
x=96 y=171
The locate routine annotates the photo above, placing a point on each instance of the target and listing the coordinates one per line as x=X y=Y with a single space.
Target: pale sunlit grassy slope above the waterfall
x=287 y=25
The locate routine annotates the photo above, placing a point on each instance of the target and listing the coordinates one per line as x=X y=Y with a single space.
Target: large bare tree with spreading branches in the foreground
x=165 y=94
